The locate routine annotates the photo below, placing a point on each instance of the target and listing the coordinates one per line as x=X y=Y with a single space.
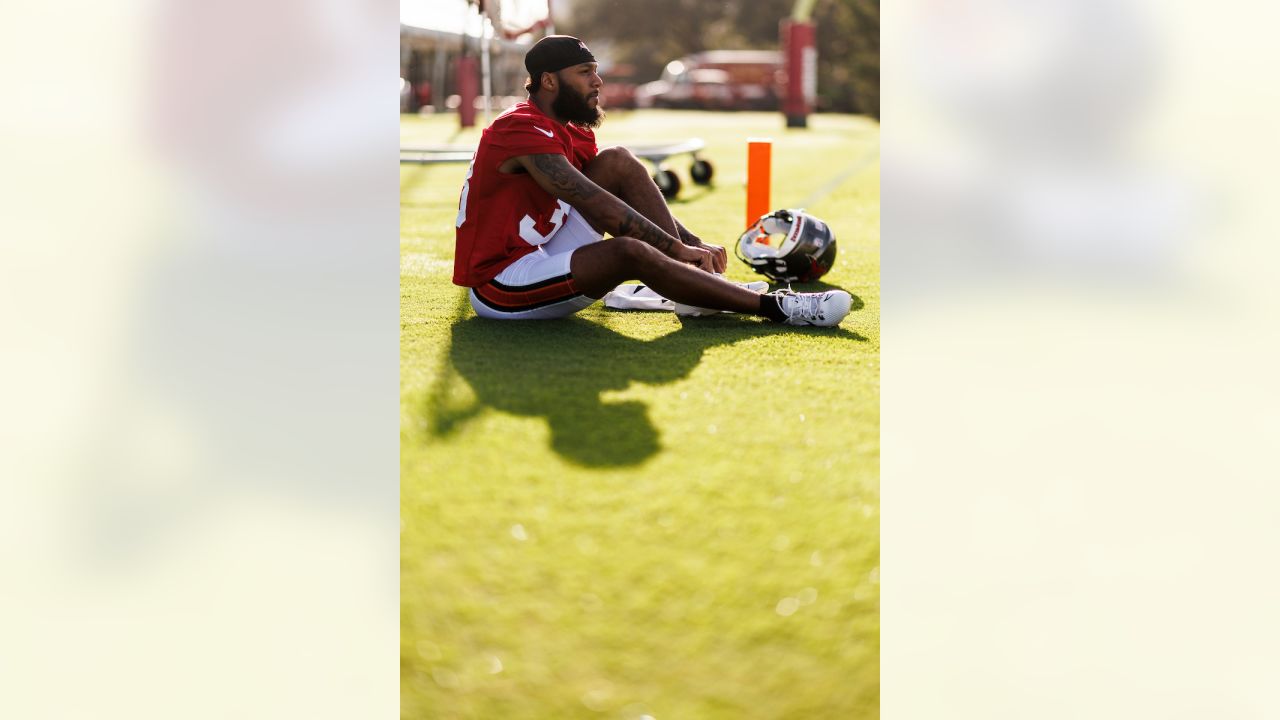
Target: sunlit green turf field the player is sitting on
x=630 y=514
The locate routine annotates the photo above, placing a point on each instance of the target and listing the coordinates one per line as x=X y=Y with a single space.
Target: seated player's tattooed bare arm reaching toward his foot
x=557 y=176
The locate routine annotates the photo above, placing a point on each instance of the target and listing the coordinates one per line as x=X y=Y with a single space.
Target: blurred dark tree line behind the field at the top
x=650 y=34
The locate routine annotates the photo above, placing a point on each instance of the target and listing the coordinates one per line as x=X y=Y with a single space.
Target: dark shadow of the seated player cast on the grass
x=559 y=370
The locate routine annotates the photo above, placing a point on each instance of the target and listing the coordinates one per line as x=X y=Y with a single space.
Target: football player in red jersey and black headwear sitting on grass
x=540 y=195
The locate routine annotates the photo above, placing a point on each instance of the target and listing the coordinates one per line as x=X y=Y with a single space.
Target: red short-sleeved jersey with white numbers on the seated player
x=505 y=217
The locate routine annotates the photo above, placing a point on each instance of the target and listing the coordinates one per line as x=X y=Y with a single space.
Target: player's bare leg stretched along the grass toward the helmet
x=600 y=267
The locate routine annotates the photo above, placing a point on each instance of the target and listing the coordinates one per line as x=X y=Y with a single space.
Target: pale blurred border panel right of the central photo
x=1080 y=398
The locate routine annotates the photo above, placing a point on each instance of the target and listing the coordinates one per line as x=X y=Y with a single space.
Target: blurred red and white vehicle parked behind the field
x=719 y=80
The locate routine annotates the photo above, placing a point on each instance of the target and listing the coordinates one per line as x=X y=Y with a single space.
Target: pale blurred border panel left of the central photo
x=200 y=446
